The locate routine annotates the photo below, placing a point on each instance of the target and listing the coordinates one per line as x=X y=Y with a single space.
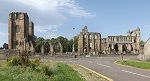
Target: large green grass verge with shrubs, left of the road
x=58 y=72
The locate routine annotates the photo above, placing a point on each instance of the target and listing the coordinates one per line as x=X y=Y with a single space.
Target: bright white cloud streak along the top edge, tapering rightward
x=55 y=6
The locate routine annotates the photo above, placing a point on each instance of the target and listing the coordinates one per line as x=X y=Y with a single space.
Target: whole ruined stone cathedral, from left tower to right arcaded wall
x=21 y=37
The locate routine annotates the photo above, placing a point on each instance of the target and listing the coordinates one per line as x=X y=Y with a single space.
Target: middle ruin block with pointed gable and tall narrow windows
x=89 y=42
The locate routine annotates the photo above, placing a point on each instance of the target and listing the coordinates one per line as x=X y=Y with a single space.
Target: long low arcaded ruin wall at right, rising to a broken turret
x=120 y=44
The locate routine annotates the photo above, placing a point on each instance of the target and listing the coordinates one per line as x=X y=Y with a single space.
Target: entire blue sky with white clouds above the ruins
x=53 y=18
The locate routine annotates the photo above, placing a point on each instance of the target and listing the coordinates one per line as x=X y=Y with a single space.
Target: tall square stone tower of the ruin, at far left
x=21 y=32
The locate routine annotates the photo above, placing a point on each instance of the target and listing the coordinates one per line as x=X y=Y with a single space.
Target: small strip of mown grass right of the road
x=134 y=63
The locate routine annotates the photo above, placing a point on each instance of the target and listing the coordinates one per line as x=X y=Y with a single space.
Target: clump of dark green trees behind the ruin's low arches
x=55 y=42
